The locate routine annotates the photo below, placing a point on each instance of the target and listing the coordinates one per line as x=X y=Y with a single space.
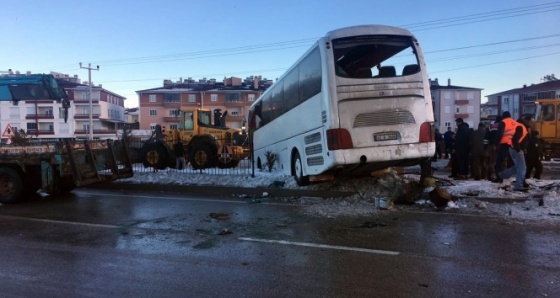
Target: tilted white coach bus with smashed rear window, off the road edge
x=357 y=101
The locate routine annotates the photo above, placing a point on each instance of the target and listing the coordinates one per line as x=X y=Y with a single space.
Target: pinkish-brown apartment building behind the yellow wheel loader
x=161 y=105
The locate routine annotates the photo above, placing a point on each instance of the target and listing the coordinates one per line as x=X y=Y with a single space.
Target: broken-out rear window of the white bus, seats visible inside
x=375 y=56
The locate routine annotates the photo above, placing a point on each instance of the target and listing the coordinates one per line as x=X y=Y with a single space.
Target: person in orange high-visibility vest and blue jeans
x=515 y=133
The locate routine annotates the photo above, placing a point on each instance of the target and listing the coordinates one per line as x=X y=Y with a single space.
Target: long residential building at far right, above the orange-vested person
x=521 y=101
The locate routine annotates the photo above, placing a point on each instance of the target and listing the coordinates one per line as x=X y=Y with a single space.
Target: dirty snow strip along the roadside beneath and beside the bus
x=481 y=197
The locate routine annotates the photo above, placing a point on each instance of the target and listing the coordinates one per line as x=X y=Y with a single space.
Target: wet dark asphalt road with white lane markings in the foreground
x=102 y=243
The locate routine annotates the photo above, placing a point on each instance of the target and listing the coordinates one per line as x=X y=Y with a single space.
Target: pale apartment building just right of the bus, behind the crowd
x=451 y=102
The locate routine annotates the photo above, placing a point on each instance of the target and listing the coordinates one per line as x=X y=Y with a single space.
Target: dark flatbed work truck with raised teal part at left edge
x=57 y=166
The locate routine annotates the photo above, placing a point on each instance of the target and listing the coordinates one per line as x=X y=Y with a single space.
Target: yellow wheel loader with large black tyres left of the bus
x=206 y=145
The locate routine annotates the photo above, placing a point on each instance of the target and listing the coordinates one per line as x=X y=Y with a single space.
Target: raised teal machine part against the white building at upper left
x=33 y=87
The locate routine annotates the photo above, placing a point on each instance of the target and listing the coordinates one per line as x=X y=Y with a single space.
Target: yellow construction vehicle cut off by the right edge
x=547 y=123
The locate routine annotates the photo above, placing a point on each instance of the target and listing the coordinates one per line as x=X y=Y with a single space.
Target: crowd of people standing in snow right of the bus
x=505 y=148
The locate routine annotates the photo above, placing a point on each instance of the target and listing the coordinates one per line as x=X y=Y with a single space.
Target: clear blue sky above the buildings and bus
x=492 y=45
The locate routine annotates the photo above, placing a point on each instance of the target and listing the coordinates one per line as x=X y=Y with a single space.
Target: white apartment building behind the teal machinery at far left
x=45 y=118
